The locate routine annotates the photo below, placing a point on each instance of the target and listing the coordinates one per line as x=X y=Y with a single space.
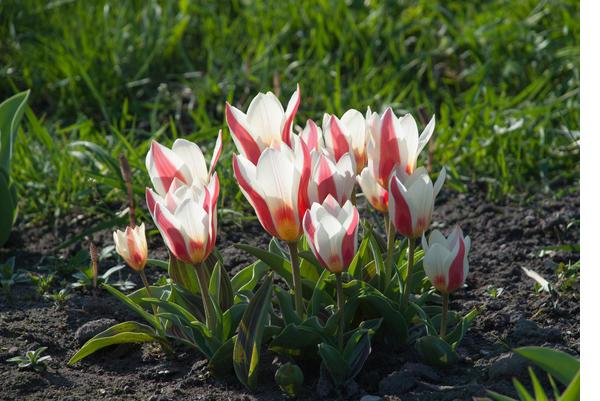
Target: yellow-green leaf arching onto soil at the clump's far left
x=127 y=332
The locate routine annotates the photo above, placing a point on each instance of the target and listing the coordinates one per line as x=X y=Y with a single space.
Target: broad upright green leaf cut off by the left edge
x=11 y=112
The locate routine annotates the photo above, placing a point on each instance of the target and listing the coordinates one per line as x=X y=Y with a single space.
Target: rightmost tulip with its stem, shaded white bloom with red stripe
x=446 y=264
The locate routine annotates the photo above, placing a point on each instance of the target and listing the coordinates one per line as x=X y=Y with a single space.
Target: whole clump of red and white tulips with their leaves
x=340 y=291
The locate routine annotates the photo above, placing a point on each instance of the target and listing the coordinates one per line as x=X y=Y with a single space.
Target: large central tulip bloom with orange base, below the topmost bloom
x=277 y=187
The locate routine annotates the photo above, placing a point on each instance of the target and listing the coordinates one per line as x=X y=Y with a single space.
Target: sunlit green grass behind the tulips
x=501 y=76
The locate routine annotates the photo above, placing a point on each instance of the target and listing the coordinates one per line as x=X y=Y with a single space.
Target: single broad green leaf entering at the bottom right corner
x=560 y=365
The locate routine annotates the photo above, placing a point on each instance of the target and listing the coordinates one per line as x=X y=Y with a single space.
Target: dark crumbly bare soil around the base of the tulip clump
x=505 y=238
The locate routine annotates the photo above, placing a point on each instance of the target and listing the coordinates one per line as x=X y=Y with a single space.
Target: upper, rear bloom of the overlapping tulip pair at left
x=184 y=161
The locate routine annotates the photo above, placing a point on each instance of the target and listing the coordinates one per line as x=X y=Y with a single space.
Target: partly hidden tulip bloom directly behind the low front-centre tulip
x=331 y=178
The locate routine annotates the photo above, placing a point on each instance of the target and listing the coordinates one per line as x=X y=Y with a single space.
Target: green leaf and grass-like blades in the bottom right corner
x=557 y=364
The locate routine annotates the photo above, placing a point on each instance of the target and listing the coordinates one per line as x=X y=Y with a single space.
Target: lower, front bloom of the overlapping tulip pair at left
x=187 y=218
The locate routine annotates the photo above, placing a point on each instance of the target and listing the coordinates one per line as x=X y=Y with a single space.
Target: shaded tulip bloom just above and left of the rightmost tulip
x=411 y=200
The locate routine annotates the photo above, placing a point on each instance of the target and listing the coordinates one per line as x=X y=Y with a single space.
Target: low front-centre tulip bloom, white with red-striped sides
x=332 y=233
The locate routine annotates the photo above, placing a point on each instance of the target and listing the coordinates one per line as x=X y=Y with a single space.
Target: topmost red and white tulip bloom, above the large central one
x=265 y=124
